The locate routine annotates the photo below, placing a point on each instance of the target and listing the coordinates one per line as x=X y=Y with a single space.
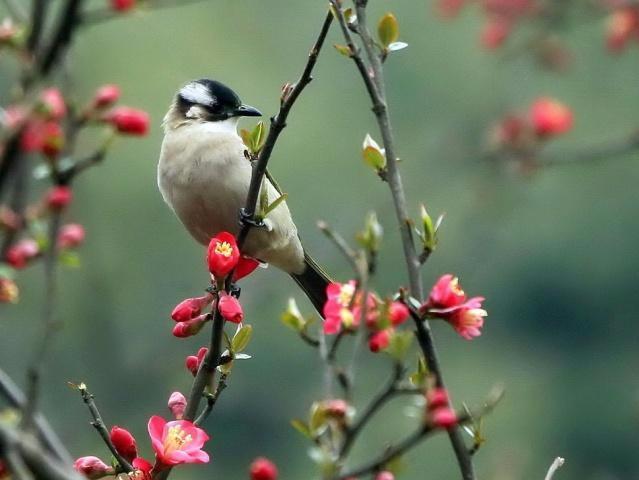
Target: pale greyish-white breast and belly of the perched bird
x=204 y=178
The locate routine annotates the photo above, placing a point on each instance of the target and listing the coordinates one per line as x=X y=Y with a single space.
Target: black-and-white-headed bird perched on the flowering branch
x=203 y=175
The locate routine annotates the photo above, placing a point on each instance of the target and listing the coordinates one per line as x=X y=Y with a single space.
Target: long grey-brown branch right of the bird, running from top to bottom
x=376 y=90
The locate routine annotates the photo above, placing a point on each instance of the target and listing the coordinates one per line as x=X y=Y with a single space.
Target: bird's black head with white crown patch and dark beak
x=207 y=100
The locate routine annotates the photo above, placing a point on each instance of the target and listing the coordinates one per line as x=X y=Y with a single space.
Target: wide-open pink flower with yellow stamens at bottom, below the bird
x=177 y=442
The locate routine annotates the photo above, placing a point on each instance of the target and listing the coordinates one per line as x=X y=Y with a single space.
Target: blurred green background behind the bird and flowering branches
x=554 y=254
